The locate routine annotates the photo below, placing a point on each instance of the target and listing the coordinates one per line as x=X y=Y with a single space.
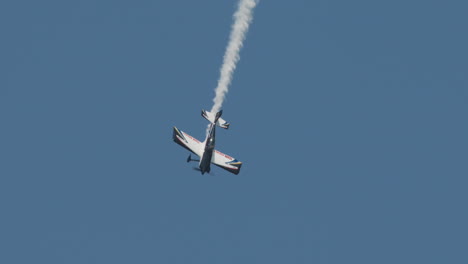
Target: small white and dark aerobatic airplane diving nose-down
x=205 y=150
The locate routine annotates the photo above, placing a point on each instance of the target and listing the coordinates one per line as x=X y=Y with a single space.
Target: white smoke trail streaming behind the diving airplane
x=242 y=20
